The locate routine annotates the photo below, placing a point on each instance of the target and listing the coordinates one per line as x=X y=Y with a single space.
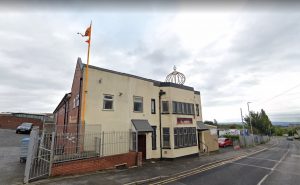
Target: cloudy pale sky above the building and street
x=232 y=53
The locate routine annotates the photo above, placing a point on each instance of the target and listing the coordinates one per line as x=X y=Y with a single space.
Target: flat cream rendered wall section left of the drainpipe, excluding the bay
x=123 y=88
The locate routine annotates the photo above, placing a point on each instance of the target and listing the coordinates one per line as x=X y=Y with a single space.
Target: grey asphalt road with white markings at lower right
x=278 y=165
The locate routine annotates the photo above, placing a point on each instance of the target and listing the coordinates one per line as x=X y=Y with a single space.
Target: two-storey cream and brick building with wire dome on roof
x=163 y=116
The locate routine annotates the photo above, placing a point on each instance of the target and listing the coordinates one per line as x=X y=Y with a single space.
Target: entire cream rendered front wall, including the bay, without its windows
x=123 y=88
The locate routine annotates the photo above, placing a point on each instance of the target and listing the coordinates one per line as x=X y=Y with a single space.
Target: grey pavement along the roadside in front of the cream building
x=150 y=170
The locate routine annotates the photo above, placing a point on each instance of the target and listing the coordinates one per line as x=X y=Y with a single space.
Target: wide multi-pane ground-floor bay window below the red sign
x=185 y=137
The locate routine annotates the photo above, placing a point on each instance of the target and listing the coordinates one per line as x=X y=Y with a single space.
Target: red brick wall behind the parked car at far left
x=12 y=122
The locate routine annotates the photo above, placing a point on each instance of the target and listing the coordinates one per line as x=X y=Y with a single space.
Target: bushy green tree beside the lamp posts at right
x=260 y=122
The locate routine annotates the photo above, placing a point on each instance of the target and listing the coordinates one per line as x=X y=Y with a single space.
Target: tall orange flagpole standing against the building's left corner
x=86 y=77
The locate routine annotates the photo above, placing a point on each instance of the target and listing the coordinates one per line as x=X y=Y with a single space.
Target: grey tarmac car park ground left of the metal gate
x=11 y=170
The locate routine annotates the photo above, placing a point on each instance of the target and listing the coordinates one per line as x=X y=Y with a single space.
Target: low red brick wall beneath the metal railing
x=95 y=164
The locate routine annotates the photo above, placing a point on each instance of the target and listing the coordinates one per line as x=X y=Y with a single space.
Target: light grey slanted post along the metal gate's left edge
x=30 y=153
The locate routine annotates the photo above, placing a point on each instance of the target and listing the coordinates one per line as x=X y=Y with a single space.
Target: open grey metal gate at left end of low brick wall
x=40 y=155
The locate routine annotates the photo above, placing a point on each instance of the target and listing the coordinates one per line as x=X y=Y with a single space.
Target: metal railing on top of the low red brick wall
x=80 y=143
